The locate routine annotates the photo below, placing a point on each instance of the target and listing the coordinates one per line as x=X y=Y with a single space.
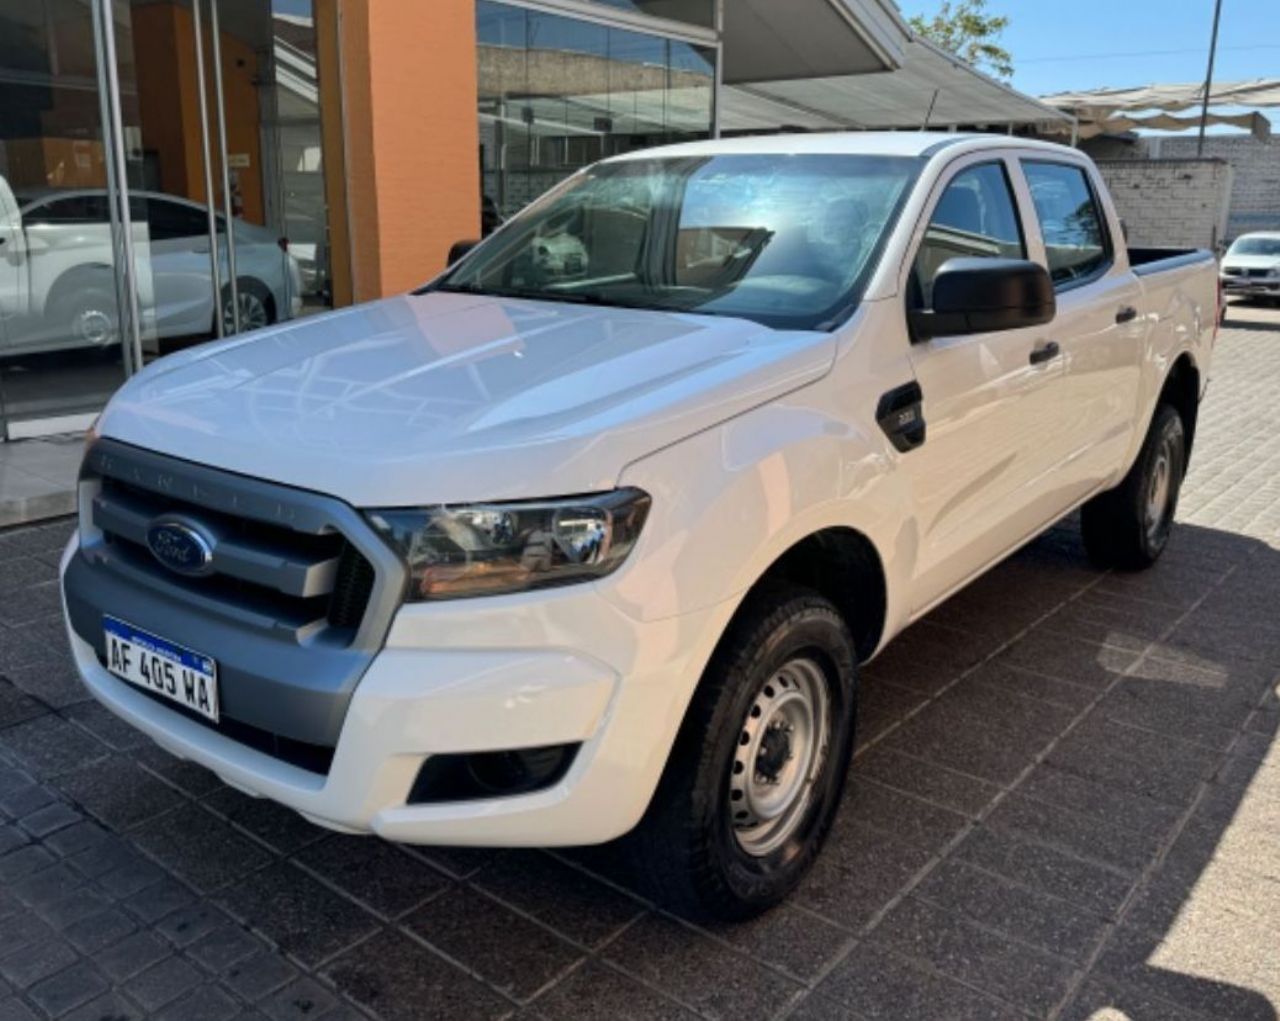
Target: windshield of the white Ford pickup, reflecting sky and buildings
x=787 y=241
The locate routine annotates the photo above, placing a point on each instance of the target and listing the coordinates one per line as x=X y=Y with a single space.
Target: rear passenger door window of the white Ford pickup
x=1076 y=240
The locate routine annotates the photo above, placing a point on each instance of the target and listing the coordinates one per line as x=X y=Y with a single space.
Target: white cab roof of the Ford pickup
x=852 y=144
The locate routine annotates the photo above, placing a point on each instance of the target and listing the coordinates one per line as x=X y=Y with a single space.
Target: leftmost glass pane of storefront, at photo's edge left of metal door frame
x=61 y=347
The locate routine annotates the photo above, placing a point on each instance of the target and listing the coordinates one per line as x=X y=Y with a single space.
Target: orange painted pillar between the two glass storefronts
x=413 y=138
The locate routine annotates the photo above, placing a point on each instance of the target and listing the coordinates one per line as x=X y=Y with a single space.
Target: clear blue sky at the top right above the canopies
x=1071 y=45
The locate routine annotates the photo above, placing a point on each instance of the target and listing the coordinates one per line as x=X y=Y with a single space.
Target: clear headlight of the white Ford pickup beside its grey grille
x=487 y=550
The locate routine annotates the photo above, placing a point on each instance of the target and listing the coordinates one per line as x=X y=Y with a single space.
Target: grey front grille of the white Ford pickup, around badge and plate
x=294 y=603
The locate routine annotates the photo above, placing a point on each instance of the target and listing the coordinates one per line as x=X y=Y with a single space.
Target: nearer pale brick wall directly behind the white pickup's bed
x=1172 y=203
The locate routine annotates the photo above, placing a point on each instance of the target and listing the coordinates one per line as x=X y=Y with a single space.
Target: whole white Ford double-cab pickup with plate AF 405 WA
x=589 y=537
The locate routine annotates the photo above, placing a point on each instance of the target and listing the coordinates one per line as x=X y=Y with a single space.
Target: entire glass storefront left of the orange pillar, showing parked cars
x=226 y=218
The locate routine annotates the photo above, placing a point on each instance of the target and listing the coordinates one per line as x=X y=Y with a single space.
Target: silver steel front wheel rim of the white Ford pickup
x=781 y=752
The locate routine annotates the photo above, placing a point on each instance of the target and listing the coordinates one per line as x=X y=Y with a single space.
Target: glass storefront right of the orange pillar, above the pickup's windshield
x=557 y=94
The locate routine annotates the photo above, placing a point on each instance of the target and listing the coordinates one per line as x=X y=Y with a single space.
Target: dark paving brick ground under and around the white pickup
x=1066 y=804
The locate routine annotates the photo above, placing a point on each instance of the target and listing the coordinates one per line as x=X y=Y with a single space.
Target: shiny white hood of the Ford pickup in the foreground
x=449 y=399
